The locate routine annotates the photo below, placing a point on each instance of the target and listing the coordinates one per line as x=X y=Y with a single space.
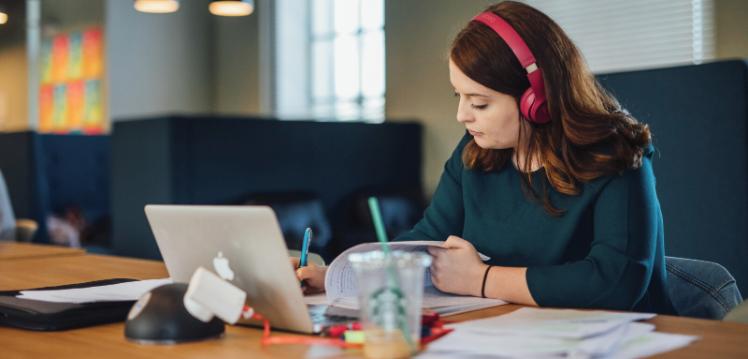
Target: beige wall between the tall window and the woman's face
x=418 y=36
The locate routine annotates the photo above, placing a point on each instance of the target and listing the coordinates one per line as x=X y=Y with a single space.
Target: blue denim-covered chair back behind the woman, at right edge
x=701 y=289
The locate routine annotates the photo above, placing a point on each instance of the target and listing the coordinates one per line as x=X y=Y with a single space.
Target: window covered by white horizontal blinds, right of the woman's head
x=636 y=34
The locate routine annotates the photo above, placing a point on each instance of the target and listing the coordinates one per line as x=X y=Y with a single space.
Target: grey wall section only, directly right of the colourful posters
x=158 y=63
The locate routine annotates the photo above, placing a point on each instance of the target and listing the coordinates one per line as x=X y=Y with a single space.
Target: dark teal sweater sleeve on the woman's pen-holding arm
x=445 y=215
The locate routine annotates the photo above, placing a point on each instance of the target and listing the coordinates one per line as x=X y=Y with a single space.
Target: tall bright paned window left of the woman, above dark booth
x=338 y=71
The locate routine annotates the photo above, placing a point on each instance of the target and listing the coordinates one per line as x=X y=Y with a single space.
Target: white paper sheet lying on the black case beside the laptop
x=105 y=293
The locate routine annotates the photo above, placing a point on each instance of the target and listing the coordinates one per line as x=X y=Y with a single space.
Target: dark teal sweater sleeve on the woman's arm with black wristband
x=618 y=268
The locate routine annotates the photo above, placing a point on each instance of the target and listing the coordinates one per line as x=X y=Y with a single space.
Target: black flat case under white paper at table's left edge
x=49 y=316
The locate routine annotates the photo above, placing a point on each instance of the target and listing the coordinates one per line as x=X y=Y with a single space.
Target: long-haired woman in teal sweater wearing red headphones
x=553 y=180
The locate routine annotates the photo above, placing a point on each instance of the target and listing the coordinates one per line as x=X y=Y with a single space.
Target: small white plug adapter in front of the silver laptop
x=209 y=295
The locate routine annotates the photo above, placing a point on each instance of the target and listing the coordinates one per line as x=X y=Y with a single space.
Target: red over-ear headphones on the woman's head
x=532 y=104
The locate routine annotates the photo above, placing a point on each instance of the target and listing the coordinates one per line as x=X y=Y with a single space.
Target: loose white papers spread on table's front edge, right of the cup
x=531 y=332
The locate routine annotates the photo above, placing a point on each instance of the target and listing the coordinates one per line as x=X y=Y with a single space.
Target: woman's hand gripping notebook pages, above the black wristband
x=457 y=267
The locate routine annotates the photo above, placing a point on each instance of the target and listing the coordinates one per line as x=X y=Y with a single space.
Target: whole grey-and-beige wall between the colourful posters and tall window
x=185 y=62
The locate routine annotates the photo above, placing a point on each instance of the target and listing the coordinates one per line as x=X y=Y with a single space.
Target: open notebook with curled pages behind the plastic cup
x=341 y=287
